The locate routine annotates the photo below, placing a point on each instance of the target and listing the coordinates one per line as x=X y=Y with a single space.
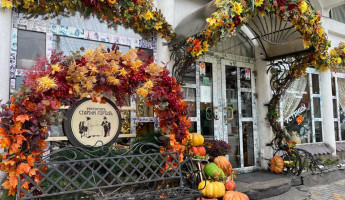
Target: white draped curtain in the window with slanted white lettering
x=293 y=95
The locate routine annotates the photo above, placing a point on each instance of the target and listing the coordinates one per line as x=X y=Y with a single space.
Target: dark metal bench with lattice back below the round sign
x=130 y=175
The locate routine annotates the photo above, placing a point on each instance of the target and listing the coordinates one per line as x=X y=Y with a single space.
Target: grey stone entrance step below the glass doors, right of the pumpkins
x=261 y=185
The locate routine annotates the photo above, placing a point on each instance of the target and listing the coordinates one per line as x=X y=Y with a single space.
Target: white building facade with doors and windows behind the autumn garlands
x=227 y=89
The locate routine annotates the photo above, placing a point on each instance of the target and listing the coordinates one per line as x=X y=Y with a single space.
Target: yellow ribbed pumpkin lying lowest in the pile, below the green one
x=212 y=189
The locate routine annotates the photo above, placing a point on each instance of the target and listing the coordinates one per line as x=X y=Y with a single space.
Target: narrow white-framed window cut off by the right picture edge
x=338 y=89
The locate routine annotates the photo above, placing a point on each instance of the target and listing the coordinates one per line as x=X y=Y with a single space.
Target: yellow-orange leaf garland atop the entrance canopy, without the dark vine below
x=232 y=14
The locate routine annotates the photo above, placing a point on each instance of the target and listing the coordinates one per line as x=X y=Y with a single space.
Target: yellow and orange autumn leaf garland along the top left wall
x=140 y=15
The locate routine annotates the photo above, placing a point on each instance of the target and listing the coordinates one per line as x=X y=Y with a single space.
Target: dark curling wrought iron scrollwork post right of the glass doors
x=283 y=73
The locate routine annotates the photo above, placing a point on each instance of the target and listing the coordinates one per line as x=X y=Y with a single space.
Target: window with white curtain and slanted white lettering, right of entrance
x=301 y=109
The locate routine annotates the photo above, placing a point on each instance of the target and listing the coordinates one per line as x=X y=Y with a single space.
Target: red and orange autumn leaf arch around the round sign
x=62 y=81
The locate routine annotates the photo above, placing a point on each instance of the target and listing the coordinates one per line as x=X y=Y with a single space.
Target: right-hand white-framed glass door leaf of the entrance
x=239 y=116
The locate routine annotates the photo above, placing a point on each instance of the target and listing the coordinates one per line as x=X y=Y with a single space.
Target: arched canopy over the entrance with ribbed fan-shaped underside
x=276 y=37
